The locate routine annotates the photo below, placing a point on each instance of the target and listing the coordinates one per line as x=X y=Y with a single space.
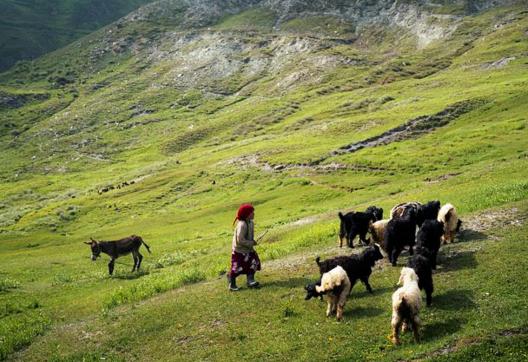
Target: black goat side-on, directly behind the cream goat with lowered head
x=357 y=266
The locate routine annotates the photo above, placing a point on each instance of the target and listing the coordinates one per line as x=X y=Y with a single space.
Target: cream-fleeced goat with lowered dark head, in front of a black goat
x=335 y=278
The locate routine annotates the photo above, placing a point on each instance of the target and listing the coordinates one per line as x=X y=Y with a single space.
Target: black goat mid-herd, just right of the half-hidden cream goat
x=400 y=232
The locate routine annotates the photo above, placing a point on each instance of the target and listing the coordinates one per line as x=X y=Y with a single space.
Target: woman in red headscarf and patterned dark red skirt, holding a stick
x=244 y=258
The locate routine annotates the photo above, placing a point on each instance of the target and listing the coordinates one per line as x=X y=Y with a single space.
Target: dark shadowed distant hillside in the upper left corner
x=32 y=28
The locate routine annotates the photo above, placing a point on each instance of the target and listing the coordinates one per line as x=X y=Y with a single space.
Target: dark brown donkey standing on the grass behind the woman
x=117 y=248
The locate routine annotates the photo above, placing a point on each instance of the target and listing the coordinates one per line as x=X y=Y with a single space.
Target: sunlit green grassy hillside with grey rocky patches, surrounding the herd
x=145 y=128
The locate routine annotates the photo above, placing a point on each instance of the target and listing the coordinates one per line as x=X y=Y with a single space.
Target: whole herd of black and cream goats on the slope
x=338 y=275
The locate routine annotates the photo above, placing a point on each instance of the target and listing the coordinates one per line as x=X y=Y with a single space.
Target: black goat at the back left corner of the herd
x=353 y=224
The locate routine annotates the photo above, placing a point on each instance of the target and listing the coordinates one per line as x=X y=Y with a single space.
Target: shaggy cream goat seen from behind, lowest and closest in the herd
x=406 y=302
